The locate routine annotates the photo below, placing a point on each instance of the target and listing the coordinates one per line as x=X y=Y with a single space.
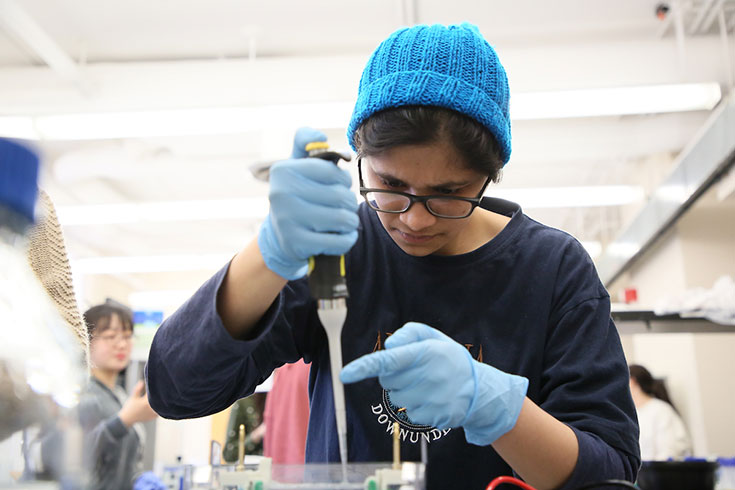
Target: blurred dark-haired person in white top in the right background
x=662 y=432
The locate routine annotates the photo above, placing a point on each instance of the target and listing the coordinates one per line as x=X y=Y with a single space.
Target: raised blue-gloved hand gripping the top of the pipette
x=312 y=210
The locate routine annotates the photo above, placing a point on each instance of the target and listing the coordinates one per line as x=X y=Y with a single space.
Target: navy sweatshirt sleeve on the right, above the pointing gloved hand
x=585 y=379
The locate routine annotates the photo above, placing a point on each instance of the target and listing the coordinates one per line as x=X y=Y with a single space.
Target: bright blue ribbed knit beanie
x=446 y=66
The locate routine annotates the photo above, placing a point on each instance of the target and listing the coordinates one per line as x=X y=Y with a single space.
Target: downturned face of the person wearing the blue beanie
x=433 y=169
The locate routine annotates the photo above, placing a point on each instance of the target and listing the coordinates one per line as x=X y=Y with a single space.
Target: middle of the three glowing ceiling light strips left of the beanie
x=253 y=208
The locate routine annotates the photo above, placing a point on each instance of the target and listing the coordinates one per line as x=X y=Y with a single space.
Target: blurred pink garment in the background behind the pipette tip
x=286 y=414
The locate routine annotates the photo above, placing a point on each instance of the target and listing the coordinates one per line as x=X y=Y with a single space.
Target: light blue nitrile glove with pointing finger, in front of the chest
x=440 y=385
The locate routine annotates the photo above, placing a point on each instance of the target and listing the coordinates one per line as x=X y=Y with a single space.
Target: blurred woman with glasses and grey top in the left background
x=110 y=420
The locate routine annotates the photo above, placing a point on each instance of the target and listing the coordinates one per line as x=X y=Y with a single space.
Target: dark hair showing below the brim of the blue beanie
x=414 y=125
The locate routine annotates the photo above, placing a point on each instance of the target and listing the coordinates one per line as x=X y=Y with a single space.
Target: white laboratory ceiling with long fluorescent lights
x=149 y=114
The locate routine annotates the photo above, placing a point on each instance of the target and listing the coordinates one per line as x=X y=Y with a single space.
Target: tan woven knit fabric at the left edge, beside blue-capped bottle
x=47 y=255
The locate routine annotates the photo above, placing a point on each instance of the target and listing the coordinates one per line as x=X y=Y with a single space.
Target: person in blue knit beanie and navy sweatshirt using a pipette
x=480 y=331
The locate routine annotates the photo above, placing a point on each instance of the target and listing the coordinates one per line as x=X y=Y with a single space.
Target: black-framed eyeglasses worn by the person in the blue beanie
x=396 y=202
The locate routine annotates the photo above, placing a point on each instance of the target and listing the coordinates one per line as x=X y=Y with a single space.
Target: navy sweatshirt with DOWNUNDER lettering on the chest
x=528 y=302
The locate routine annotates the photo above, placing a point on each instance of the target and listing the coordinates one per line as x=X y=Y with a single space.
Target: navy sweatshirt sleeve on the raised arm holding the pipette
x=195 y=368
